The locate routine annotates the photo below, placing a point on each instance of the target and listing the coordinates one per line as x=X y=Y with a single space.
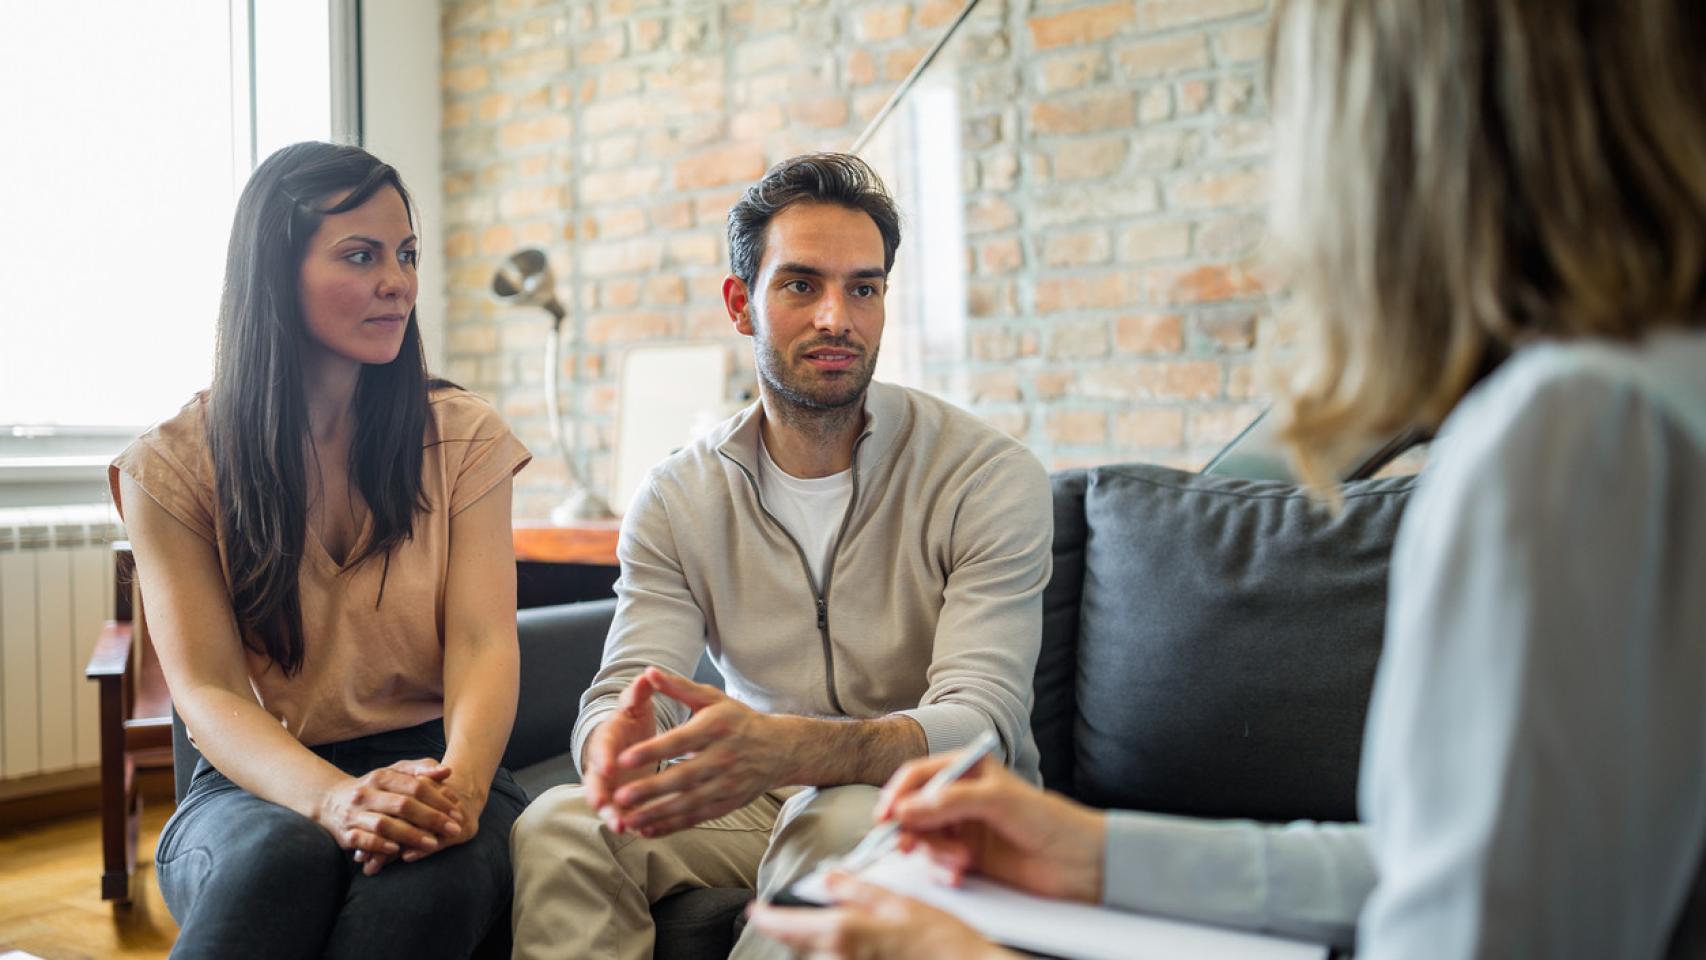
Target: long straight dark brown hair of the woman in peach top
x=258 y=410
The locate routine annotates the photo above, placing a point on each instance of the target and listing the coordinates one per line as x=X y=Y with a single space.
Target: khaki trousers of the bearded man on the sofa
x=584 y=893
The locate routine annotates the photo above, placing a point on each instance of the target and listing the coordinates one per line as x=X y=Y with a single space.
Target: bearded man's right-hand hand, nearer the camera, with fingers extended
x=733 y=751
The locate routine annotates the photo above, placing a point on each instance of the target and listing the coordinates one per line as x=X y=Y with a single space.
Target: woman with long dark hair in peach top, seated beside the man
x=323 y=545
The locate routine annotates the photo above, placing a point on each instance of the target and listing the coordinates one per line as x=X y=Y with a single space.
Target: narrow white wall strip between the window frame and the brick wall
x=400 y=125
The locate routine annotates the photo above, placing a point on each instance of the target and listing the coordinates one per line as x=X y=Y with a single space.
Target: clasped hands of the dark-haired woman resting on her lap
x=405 y=813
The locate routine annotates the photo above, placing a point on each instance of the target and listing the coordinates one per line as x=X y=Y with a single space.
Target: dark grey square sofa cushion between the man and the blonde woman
x=1229 y=640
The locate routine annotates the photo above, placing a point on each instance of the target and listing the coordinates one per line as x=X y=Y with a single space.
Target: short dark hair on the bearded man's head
x=813 y=178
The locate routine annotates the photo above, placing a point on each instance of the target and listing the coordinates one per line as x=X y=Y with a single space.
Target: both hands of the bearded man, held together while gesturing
x=728 y=755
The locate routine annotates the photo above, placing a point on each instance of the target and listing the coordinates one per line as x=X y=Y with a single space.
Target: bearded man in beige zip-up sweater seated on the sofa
x=864 y=562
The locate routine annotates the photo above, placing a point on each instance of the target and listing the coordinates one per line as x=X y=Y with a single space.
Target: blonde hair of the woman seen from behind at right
x=1458 y=178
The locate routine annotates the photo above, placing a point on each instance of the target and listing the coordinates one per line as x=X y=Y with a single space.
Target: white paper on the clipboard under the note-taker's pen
x=1076 y=932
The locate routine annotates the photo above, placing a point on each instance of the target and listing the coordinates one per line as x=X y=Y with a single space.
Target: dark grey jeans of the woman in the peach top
x=252 y=879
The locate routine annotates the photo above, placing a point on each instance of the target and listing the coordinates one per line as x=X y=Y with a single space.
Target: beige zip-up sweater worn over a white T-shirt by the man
x=932 y=599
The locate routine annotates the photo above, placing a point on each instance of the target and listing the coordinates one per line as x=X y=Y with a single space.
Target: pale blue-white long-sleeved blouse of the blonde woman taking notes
x=1535 y=766
